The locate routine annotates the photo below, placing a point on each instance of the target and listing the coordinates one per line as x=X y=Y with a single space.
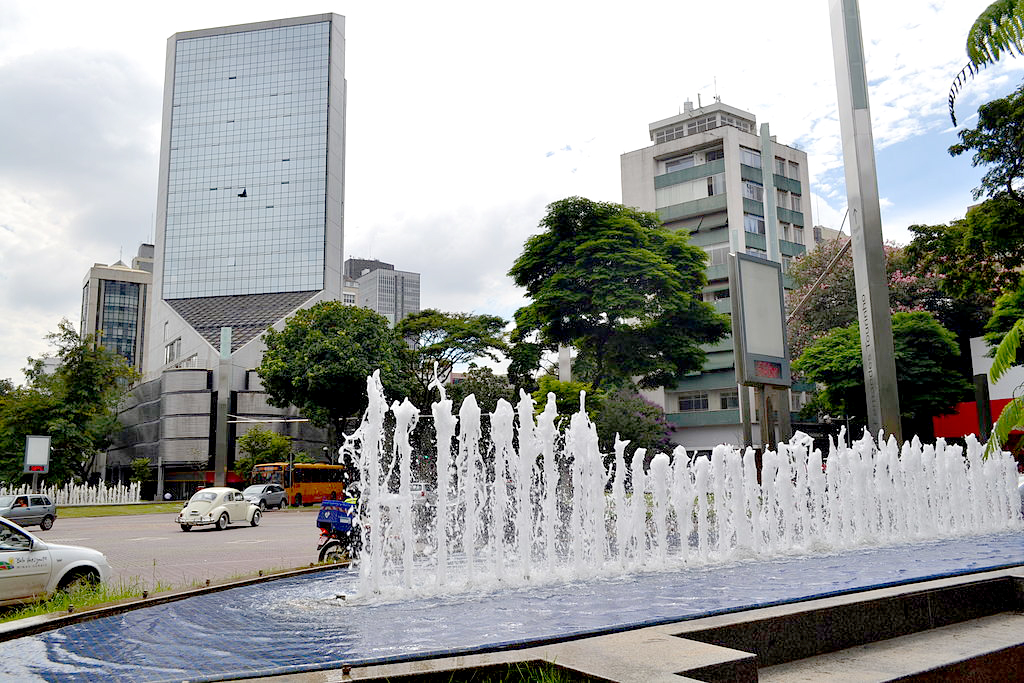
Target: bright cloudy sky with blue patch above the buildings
x=465 y=120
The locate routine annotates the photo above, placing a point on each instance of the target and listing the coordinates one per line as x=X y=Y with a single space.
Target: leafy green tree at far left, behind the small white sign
x=74 y=403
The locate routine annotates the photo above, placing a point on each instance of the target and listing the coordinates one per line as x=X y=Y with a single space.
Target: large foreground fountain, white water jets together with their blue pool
x=537 y=536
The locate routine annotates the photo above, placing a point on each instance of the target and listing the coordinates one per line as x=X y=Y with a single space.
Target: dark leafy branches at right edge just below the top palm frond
x=998 y=144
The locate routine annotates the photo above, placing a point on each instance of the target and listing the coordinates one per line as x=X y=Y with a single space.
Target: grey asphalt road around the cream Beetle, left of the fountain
x=153 y=548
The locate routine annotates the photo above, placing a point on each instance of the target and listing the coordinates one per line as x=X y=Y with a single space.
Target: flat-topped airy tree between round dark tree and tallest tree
x=447 y=340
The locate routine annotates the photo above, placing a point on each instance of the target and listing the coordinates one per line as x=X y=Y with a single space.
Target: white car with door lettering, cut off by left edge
x=32 y=569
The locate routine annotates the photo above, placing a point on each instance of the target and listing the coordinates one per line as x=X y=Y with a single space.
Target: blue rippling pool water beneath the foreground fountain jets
x=298 y=624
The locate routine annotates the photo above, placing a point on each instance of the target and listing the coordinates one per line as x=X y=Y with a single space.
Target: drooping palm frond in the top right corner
x=999 y=30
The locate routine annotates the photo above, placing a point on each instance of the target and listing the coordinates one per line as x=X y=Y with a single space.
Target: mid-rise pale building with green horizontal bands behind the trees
x=734 y=189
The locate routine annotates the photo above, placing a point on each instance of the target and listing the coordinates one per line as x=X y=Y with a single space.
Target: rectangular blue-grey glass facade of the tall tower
x=247 y=187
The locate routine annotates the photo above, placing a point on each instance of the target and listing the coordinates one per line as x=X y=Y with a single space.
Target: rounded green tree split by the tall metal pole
x=926 y=360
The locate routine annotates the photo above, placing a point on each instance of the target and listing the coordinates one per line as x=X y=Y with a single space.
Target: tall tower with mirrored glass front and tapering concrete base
x=249 y=224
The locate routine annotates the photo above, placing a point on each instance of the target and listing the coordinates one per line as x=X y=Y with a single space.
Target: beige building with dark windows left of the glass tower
x=115 y=303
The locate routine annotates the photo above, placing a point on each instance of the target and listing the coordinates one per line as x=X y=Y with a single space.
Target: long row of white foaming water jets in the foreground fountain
x=538 y=506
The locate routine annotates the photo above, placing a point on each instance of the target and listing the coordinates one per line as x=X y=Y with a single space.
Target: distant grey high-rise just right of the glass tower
x=376 y=285
